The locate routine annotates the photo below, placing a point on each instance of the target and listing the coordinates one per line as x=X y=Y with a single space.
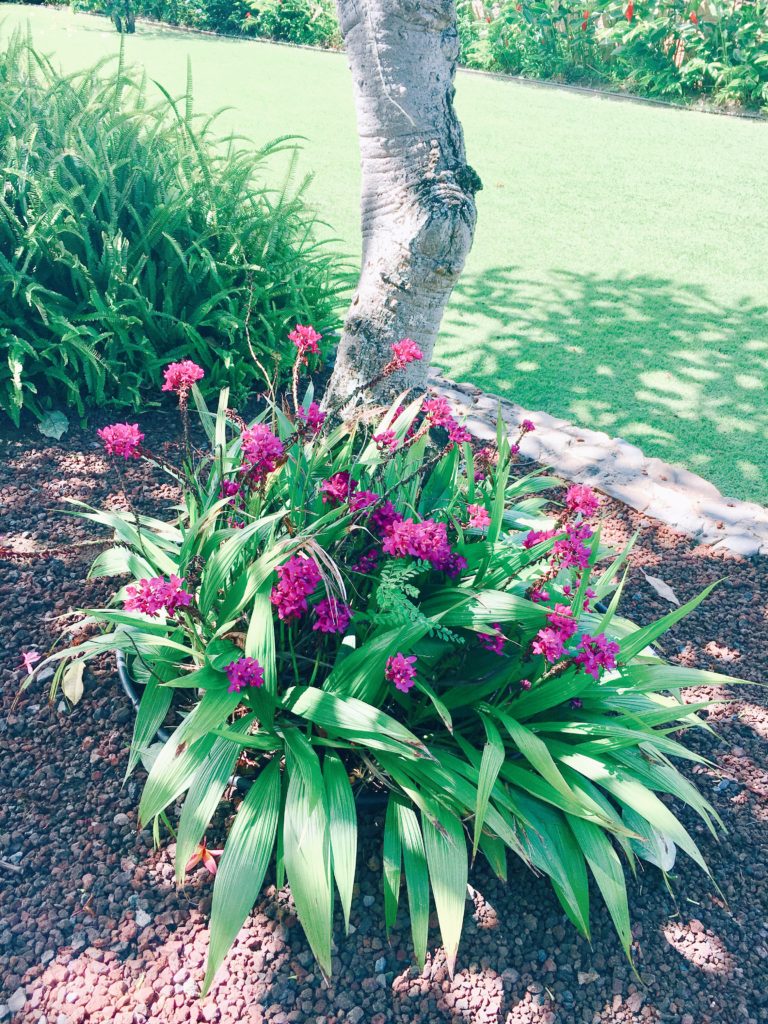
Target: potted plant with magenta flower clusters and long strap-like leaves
x=378 y=607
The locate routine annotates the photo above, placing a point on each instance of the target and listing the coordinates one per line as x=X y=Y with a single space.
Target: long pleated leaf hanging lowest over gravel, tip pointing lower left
x=243 y=866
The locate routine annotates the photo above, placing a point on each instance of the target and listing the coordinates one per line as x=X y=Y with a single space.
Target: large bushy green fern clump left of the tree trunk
x=127 y=235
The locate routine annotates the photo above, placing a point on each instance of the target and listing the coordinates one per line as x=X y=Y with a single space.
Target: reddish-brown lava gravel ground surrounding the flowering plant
x=93 y=928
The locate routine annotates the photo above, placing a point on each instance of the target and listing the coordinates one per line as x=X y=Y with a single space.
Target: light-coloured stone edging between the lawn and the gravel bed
x=669 y=494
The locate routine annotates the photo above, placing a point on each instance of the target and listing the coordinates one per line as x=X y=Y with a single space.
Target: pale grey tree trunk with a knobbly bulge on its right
x=418 y=209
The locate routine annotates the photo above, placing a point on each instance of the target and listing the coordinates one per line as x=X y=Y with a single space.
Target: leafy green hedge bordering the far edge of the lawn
x=678 y=50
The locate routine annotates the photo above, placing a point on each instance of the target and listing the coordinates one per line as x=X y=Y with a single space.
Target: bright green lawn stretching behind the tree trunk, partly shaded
x=619 y=276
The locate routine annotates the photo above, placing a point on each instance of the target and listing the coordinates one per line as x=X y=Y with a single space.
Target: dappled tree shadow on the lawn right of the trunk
x=666 y=367
